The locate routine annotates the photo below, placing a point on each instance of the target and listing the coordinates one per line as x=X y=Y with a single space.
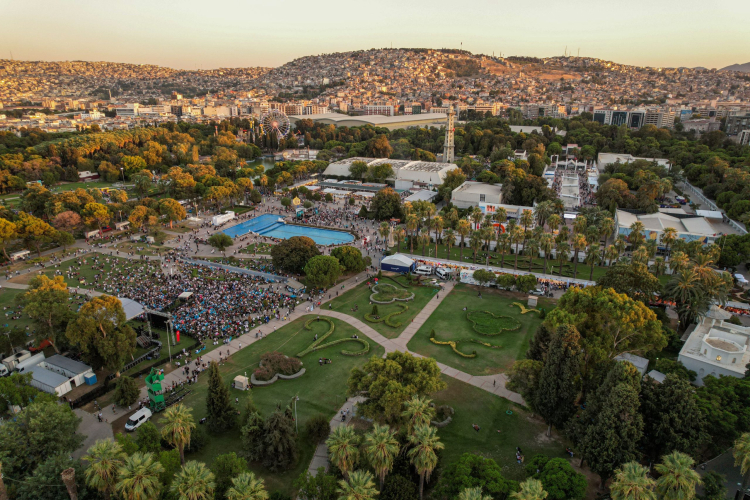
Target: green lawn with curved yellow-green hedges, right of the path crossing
x=450 y=323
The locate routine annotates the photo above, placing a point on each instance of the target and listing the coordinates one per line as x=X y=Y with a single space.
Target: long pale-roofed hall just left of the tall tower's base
x=408 y=173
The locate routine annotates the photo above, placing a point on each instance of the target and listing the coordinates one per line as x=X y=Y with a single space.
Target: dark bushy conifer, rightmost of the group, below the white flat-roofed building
x=672 y=419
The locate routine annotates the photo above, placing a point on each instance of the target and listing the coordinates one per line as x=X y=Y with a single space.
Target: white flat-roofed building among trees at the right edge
x=716 y=347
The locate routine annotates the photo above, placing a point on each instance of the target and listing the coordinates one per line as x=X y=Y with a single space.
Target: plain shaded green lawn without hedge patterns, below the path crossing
x=473 y=405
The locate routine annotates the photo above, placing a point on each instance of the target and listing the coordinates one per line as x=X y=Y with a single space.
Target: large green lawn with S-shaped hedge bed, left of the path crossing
x=322 y=389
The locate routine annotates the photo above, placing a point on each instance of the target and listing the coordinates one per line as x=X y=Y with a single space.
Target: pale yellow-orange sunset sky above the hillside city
x=191 y=34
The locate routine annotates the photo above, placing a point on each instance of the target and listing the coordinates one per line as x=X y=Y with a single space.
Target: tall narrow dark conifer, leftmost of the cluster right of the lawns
x=558 y=385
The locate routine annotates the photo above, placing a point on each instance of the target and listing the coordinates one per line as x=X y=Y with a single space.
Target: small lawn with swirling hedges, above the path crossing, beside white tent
x=360 y=296
